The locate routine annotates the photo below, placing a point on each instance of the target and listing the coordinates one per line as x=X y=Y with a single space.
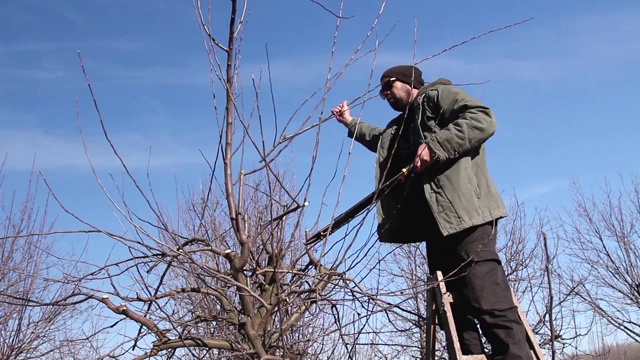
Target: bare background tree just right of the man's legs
x=534 y=263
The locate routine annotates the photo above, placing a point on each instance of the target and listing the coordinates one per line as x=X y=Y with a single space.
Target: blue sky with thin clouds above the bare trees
x=562 y=87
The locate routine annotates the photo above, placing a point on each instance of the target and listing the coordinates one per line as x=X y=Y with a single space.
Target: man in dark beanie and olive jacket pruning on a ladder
x=451 y=203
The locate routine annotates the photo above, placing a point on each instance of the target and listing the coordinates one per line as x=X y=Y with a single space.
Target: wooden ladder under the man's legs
x=439 y=307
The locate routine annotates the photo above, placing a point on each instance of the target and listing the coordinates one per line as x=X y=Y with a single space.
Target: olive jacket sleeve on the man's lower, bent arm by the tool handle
x=472 y=123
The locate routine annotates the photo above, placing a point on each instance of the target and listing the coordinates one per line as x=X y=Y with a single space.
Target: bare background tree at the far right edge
x=603 y=236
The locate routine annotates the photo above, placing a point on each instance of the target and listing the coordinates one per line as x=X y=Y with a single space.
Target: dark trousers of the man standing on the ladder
x=476 y=279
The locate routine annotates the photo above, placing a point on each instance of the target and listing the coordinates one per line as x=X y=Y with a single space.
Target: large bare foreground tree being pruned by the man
x=228 y=274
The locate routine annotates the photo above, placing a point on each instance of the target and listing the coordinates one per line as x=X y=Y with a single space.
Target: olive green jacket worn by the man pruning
x=458 y=186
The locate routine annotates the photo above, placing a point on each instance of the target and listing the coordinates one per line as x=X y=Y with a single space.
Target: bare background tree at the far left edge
x=29 y=275
